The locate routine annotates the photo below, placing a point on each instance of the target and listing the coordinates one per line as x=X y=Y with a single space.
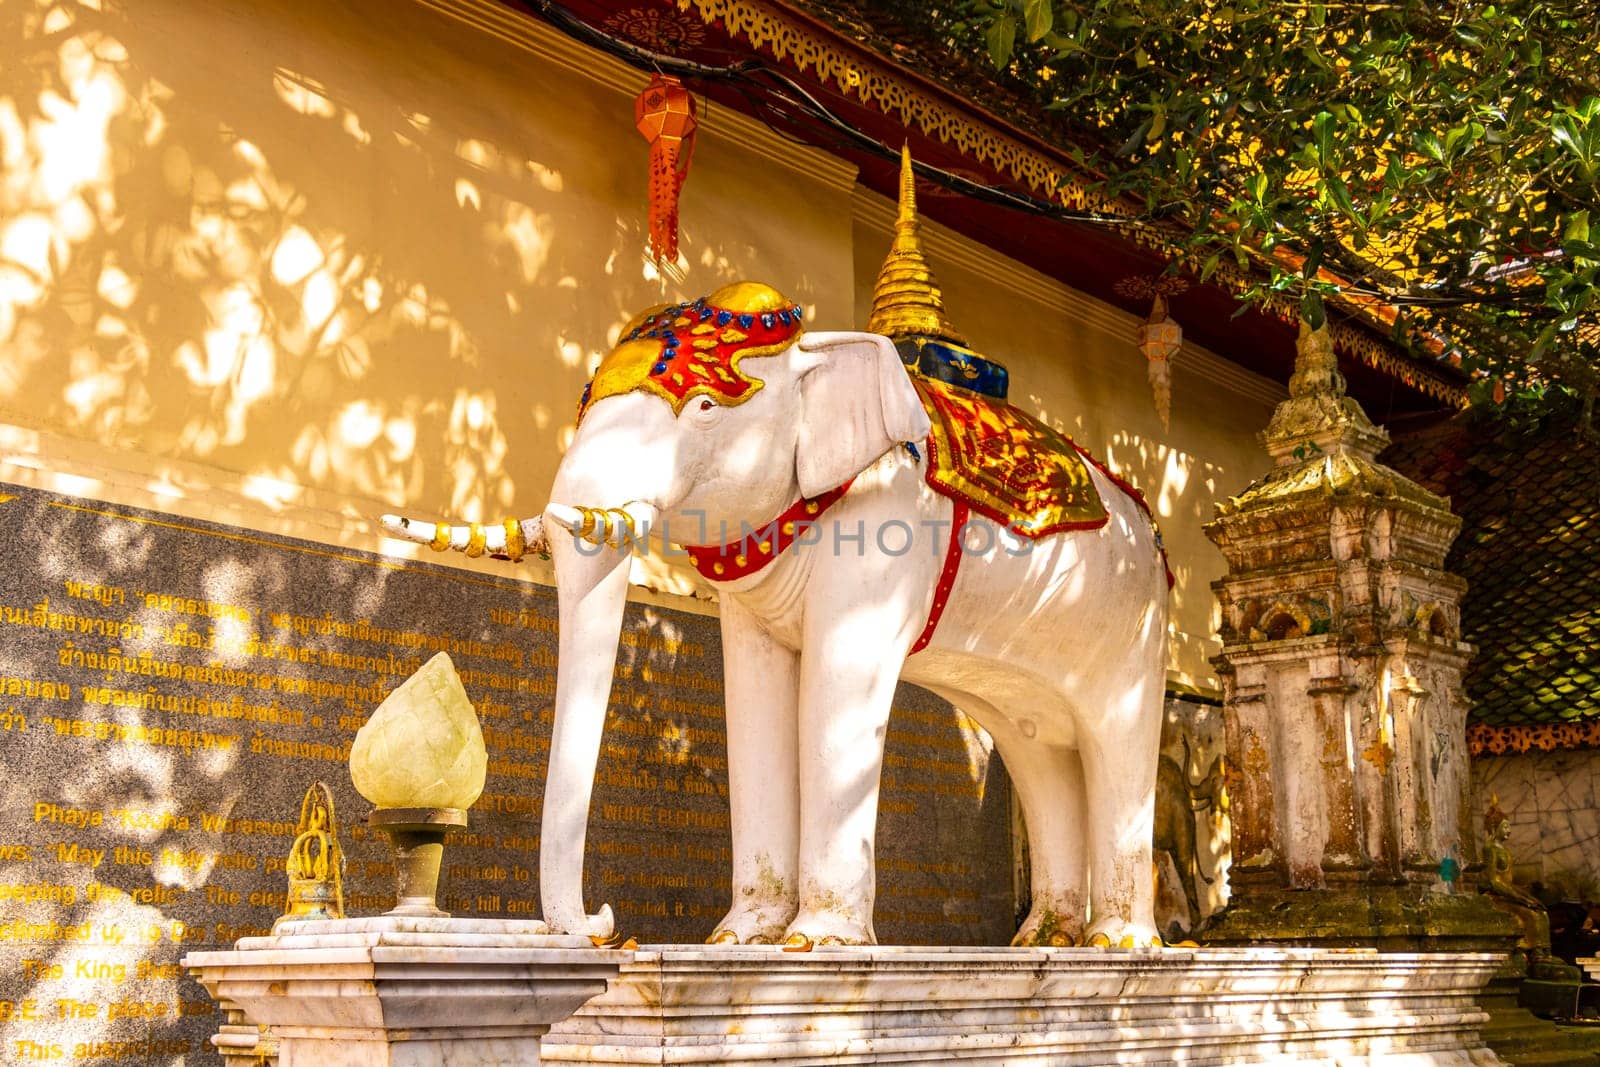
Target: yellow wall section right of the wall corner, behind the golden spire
x=1074 y=364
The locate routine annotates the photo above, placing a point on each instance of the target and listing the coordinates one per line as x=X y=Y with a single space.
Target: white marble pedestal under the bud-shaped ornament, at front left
x=407 y=993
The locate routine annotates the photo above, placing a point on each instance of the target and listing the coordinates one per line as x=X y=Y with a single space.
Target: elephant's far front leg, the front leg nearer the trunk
x=761 y=681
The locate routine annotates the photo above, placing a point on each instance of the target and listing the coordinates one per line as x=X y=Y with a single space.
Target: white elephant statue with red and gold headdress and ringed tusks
x=726 y=415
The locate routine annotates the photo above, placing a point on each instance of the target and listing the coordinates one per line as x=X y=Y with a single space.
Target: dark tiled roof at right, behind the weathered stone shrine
x=1530 y=551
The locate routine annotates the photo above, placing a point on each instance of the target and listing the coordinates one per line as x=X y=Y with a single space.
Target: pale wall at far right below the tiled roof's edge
x=1554 y=821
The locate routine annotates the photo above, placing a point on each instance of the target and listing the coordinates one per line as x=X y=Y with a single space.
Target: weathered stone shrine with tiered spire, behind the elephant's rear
x=1342 y=673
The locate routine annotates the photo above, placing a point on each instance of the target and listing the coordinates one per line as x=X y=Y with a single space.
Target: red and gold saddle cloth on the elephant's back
x=1007 y=465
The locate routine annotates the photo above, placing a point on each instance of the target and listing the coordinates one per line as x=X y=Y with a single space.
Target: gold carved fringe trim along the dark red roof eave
x=791 y=41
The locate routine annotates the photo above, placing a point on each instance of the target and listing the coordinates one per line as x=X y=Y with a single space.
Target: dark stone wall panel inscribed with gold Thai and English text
x=170 y=689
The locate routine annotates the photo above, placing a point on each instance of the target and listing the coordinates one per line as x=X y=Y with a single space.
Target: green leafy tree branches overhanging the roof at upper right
x=1441 y=158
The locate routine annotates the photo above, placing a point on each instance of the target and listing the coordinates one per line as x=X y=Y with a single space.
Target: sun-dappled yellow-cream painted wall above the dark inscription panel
x=292 y=266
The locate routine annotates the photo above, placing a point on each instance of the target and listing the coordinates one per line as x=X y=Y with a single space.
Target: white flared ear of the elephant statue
x=857 y=402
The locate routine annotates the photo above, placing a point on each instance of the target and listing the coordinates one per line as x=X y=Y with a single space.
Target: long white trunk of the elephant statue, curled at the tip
x=591 y=583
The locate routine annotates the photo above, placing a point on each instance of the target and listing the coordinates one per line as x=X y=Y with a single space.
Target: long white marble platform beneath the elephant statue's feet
x=887 y=1005
